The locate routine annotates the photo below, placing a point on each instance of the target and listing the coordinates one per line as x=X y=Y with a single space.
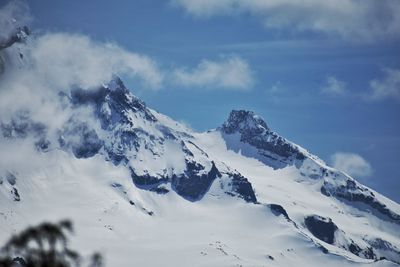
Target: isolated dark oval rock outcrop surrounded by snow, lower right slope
x=322 y=228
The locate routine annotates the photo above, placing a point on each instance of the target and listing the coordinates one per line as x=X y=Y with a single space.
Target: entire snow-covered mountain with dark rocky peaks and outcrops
x=147 y=191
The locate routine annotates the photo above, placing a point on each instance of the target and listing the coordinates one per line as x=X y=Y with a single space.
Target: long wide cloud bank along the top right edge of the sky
x=367 y=20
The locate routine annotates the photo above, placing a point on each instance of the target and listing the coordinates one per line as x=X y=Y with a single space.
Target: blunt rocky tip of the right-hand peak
x=244 y=120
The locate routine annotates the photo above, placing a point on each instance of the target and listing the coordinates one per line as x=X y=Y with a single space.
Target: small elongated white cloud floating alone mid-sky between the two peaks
x=228 y=73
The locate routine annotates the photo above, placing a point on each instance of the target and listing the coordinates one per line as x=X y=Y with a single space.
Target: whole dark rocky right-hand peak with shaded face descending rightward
x=270 y=148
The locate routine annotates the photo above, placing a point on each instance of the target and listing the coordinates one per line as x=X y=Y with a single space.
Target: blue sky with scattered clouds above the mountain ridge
x=325 y=75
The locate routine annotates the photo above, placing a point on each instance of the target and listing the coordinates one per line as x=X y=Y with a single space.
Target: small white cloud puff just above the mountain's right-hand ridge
x=352 y=164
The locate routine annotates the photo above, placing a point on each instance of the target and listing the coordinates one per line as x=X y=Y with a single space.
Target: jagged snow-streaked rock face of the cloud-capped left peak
x=114 y=107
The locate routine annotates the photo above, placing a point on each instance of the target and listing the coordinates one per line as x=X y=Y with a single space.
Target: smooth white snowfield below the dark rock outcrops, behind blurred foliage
x=216 y=231
